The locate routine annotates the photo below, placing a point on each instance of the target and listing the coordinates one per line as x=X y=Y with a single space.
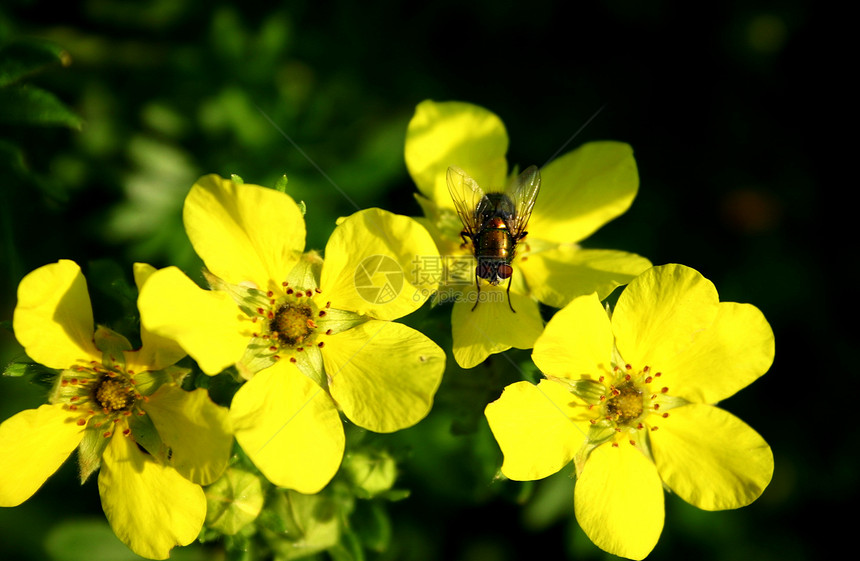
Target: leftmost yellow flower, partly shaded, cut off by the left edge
x=153 y=443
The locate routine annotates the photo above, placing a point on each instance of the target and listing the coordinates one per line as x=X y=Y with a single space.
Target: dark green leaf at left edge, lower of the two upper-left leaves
x=29 y=105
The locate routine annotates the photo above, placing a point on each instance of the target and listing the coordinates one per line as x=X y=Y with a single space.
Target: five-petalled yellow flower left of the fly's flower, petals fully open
x=311 y=337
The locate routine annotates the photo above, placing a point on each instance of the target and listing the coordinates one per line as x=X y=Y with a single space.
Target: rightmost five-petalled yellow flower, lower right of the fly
x=630 y=401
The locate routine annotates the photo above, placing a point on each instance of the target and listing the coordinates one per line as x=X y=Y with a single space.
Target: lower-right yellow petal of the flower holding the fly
x=558 y=275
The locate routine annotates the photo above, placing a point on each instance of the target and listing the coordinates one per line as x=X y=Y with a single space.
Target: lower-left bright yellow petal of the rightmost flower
x=539 y=428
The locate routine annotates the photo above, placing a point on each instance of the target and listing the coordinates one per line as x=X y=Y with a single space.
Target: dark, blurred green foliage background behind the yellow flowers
x=729 y=110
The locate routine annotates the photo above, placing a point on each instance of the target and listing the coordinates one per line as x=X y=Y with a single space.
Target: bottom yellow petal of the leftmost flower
x=150 y=507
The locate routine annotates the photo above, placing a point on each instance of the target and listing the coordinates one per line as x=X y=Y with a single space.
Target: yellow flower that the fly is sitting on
x=580 y=191
